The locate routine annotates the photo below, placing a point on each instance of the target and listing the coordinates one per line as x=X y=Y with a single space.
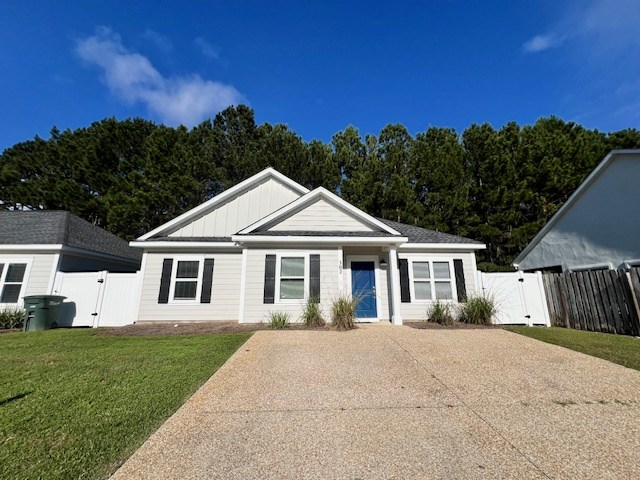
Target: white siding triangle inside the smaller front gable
x=321 y=216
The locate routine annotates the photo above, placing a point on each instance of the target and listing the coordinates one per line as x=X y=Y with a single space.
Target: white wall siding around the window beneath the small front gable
x=256 y=311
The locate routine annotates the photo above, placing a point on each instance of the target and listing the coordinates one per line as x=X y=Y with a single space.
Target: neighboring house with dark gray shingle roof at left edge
x=36 y=245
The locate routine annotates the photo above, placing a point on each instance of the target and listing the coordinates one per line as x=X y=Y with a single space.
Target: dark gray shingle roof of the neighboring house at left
x=56 y=227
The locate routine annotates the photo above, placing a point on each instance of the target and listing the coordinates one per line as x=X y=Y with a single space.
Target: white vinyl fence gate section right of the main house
x=519 y=297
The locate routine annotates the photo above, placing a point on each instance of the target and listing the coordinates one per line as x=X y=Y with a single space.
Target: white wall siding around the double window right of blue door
x=417 y=310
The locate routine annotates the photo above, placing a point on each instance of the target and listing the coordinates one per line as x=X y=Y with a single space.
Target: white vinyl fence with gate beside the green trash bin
x=98 y=299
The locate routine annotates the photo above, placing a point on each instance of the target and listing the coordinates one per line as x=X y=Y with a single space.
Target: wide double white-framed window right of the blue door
x=432 y=280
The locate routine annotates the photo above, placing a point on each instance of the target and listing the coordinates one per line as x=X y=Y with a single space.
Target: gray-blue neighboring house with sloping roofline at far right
x=597 y=227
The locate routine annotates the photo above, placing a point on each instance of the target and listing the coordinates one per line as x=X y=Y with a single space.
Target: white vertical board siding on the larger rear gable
x=240 y=212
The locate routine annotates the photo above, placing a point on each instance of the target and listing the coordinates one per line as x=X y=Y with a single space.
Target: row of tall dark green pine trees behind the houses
x=498 y=186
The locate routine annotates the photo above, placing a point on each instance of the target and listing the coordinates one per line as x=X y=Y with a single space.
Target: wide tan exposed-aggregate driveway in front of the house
x=395 y=402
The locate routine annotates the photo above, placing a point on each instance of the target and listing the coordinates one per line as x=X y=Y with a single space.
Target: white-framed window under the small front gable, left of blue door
x=292 y=277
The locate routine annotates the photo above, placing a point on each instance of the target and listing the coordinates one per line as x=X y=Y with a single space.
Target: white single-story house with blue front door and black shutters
x=269 y=244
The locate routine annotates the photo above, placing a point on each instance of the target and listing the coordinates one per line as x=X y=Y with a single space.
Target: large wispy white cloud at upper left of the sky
x=131 y=76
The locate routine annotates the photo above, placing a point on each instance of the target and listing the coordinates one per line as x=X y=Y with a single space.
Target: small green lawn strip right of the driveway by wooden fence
x=620 y=349
